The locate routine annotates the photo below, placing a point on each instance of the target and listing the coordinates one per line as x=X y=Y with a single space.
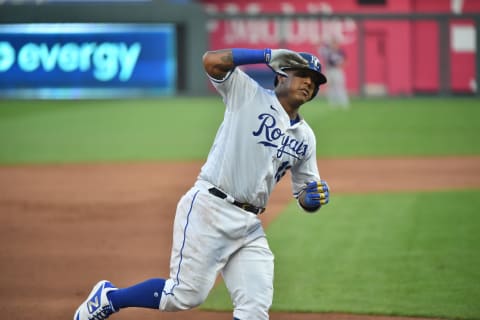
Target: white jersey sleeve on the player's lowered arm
x=306 y=170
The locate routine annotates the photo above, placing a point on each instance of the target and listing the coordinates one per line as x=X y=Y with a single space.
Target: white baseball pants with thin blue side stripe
x=212 y=236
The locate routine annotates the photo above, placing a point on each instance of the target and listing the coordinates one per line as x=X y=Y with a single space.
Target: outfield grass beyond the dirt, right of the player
x=398 y=127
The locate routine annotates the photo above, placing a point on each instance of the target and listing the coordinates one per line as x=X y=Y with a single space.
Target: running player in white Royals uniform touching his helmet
x=217 y=227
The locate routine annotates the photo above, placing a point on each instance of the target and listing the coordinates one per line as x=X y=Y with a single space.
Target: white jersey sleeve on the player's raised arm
x=236 y=88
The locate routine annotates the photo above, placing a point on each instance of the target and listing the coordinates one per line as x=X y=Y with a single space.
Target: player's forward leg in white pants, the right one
x=248 y=276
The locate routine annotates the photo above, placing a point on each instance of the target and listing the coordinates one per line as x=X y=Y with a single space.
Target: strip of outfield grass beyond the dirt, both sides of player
x=184 y=128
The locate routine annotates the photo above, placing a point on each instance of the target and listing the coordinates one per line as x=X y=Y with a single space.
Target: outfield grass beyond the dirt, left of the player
x=92 y=131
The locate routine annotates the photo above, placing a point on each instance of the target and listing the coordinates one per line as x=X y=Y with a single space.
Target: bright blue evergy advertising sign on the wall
x=66 y=60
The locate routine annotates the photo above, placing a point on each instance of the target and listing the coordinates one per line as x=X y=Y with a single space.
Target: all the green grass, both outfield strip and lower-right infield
x=366 y=254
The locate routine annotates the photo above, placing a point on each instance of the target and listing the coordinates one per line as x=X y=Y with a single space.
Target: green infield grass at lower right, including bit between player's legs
x=405 y=254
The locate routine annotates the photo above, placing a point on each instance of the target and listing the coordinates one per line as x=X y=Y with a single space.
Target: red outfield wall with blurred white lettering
x=392 y=47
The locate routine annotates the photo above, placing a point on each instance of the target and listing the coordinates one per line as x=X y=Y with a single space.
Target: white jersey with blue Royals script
x=256 y=144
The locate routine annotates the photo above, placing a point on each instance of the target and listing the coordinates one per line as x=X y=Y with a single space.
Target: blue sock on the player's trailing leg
x=146 y=294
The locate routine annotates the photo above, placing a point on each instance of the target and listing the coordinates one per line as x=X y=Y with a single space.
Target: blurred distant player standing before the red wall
x=334 y=57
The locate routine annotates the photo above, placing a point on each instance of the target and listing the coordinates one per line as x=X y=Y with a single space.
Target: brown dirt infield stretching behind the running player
x=63 y=228
